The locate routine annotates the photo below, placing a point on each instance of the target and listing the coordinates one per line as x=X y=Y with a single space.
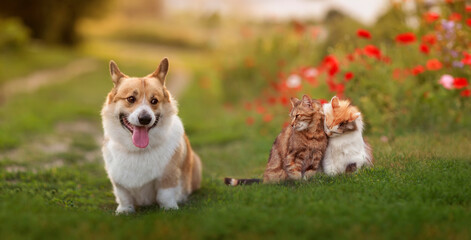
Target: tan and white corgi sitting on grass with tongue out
x=147 y=155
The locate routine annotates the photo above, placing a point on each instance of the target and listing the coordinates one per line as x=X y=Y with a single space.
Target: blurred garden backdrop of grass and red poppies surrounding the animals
x=234 y=64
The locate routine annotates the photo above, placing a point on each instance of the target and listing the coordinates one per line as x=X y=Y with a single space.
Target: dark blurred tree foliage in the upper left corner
x=53 y=21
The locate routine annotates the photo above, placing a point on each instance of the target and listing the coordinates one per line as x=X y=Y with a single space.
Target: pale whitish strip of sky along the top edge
x=365 y=11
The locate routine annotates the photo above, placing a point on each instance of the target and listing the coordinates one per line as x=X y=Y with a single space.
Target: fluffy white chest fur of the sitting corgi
x=133 y=169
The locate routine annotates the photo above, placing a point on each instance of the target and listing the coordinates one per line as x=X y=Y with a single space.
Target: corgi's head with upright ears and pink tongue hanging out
x=137 y=107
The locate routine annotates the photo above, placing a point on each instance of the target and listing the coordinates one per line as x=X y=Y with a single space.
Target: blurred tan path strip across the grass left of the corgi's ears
x=46 y=77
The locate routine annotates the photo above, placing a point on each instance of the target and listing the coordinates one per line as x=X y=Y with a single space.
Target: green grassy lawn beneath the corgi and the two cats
x=420 y=187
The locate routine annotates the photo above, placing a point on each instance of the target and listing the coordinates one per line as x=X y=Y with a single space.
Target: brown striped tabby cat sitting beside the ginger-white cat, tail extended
x=298 y=149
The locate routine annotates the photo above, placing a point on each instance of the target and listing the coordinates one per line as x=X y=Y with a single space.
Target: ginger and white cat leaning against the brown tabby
x=347 y=150
